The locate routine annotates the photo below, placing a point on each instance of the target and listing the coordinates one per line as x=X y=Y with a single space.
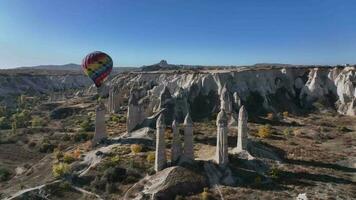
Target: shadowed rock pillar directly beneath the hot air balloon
x=100 y=127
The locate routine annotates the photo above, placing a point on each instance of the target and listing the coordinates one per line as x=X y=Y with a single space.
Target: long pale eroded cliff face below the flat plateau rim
x=261 y=90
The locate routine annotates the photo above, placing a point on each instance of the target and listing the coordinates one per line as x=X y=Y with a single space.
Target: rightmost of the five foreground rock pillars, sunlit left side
x=242 y=130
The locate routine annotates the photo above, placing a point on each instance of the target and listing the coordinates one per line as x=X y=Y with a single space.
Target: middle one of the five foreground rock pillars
x=188 y=138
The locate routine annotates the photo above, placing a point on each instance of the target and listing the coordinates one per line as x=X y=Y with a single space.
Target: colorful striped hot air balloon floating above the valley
x=97 y=66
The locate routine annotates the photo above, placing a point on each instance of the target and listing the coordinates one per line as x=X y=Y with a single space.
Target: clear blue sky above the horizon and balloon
x=207 y=32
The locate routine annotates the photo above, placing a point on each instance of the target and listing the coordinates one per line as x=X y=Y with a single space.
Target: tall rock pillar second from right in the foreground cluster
x=221 y=155
